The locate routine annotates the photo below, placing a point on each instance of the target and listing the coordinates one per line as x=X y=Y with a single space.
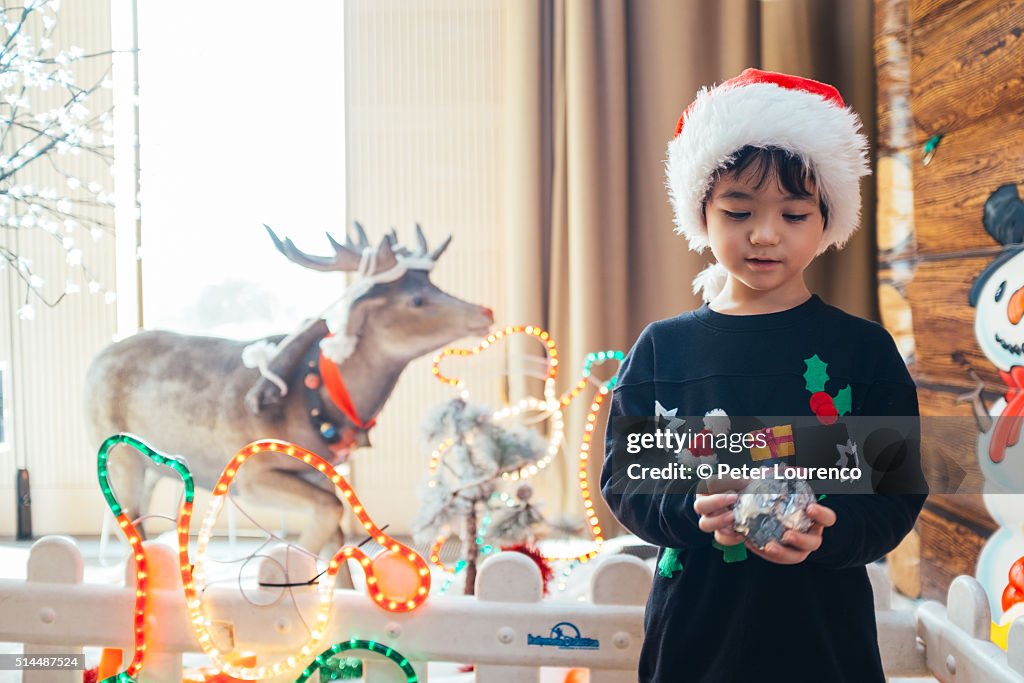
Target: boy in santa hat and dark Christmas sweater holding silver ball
x=764 y=169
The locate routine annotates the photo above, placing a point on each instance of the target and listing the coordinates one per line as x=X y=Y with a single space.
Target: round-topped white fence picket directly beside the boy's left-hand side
x=621 y=580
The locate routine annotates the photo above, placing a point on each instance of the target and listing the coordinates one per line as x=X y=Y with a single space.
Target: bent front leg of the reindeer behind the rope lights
x=290 y=490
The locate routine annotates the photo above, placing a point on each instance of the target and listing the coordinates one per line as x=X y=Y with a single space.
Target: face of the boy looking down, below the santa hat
x=764 y=237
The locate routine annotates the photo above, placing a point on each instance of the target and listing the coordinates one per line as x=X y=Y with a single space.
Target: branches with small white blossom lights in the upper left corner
x=48 y=121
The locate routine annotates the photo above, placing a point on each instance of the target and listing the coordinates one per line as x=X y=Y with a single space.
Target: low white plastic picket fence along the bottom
x=54 y=612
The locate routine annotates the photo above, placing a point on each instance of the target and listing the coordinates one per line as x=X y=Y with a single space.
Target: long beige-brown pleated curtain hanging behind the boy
x=593 y=92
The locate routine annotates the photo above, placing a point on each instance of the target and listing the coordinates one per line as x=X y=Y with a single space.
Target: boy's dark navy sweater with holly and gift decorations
x=754 y=620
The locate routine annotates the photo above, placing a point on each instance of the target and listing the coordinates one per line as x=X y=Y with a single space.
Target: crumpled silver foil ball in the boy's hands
x=769 y=507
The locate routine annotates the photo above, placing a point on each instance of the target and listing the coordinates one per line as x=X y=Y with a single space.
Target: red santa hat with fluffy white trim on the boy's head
x=766 y=110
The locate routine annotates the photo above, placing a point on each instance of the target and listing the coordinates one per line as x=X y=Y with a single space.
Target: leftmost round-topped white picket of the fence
x=54 y=560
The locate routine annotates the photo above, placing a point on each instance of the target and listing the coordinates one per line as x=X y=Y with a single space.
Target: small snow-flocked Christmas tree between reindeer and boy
x=465 y=486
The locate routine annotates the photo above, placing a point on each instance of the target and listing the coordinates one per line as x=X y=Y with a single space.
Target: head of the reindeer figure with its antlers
x=403 y=316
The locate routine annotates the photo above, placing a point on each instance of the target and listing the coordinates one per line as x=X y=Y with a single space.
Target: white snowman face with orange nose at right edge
x=998 y=323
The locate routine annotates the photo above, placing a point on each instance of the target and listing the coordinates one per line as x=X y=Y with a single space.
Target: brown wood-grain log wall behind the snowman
x=950 y=68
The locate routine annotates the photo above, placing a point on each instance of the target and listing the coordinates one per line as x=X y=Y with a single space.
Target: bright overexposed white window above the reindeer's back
x=241 y=123
